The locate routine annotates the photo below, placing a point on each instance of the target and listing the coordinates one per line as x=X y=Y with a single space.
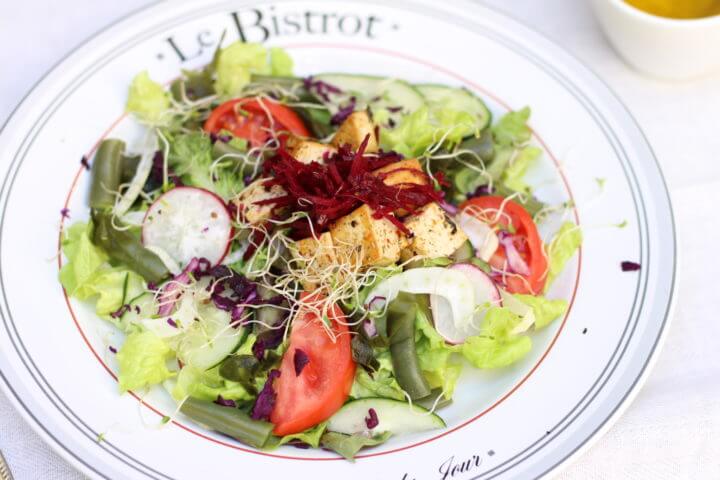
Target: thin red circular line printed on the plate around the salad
x=390 y=53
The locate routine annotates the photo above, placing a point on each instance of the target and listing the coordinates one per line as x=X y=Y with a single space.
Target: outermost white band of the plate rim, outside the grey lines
x=629 y=395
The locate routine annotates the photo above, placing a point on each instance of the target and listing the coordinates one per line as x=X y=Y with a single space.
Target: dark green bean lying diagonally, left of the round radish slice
x=124 y=247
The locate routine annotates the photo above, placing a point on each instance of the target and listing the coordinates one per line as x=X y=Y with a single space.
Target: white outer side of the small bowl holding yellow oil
x=662 y=47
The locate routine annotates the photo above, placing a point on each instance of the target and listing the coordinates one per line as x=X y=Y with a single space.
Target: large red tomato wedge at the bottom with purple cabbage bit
x=324 y=382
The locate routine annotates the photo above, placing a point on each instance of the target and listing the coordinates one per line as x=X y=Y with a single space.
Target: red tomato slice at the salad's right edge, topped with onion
x=515 y=219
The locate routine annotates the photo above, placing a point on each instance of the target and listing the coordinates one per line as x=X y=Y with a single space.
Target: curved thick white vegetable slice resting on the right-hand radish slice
x=452 y=285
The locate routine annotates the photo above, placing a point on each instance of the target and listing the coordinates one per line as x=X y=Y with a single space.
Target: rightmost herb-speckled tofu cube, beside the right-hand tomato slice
x=433 y=234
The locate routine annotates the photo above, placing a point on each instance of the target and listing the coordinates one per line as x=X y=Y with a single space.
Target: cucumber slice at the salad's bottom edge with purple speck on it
x=393 y=416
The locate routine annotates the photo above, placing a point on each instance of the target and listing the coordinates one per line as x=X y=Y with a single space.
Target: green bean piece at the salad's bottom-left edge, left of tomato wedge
x=228 y=420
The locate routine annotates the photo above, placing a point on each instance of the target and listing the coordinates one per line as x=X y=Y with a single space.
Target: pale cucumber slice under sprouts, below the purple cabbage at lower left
x=210 y=339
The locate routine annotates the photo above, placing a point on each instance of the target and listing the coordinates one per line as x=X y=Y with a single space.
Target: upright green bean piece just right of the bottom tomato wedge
x=401 y=328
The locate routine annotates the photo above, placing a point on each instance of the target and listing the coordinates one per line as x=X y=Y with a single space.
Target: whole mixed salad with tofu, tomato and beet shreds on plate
x=313 y=261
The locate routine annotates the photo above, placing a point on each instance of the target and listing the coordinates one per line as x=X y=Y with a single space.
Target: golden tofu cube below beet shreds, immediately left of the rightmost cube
x=360 y=238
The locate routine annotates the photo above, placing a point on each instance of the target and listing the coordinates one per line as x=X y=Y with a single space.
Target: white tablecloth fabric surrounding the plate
x=672 y=430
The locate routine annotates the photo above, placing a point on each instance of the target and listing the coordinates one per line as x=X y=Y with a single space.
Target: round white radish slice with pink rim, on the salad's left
x=187 y=223
